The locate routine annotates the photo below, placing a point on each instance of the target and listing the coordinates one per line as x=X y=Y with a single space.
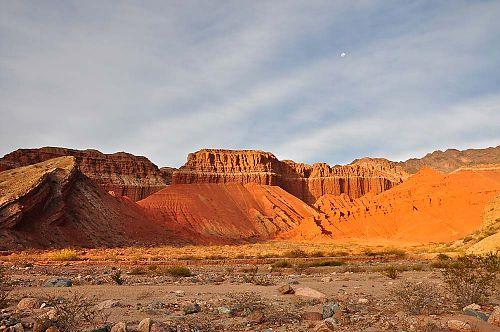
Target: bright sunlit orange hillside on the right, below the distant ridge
x=428 y=207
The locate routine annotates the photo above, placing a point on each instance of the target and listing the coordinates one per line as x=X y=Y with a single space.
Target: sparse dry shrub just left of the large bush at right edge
x=418 y=298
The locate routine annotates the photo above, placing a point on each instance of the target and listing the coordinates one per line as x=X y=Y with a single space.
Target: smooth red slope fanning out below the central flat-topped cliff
x=226 y=212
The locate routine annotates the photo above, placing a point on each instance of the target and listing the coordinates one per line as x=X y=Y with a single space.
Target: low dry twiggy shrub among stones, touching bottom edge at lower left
x=77 y=313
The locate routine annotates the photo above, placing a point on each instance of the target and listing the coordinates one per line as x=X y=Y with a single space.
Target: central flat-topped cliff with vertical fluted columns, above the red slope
x=303 y=181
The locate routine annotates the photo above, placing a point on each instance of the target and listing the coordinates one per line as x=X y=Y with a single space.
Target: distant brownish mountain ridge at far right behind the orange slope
x=452 y=159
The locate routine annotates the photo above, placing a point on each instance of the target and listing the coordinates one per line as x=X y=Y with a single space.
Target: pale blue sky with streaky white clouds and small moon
x=166 y=78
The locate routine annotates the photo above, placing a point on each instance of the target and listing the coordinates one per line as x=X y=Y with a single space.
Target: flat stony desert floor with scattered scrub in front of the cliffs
x=237 y=288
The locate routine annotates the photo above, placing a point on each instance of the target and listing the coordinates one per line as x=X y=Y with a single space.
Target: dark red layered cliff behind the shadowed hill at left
x=121 y=173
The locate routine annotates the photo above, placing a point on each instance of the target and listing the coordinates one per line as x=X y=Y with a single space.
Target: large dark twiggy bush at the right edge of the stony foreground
x=471 y=278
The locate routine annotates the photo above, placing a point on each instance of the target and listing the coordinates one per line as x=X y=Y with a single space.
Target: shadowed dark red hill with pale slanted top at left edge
x=53 y=204
